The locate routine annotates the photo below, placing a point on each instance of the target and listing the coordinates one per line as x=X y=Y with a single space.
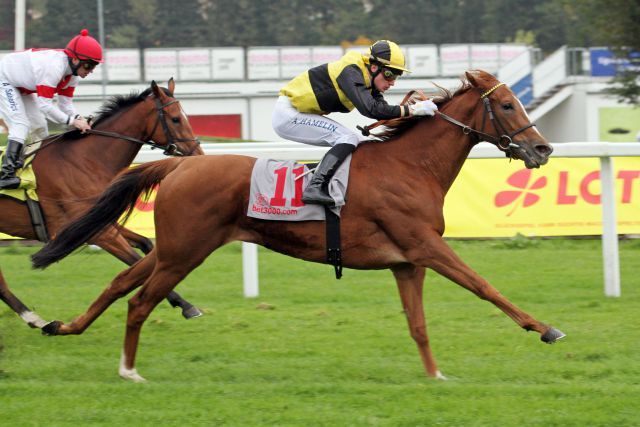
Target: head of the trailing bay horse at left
x=171 y=129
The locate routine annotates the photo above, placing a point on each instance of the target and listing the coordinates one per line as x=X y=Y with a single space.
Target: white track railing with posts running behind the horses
x=291 y=150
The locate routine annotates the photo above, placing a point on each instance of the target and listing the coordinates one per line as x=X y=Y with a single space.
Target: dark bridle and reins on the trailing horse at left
x=169 y=149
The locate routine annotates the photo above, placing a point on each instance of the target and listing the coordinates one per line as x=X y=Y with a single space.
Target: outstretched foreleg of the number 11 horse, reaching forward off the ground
x=441 y=258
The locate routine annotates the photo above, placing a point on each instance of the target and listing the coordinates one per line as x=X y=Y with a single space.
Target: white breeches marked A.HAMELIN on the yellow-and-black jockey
x=312 y=129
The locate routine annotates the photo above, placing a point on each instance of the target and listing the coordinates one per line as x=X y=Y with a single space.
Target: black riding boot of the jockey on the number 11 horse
x=317 y=192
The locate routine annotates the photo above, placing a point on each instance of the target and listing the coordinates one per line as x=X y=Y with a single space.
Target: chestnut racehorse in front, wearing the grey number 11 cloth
x=392 y=220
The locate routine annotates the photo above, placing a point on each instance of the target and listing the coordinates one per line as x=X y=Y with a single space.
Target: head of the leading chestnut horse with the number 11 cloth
x=509 y=127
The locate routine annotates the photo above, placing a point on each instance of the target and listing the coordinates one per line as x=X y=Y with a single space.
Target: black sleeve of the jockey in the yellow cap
x=373 y=106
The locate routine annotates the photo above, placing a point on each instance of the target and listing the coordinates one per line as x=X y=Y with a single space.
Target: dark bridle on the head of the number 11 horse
x=502 y=139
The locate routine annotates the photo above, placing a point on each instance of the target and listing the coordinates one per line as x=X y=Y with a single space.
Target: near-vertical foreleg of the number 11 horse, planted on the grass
x=410 y=280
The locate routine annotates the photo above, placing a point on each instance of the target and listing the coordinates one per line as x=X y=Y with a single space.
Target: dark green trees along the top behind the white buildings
x=547 y=24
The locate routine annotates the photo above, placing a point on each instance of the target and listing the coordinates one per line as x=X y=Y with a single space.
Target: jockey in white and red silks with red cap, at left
x=29 y=80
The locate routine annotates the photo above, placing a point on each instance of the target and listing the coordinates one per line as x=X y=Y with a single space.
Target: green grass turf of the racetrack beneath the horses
x=313 y=351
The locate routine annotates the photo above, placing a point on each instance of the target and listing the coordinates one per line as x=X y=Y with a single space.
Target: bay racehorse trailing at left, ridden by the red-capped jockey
x=72 y=169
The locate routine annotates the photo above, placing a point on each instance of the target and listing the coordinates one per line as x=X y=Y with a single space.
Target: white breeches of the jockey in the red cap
x=21 y=114
